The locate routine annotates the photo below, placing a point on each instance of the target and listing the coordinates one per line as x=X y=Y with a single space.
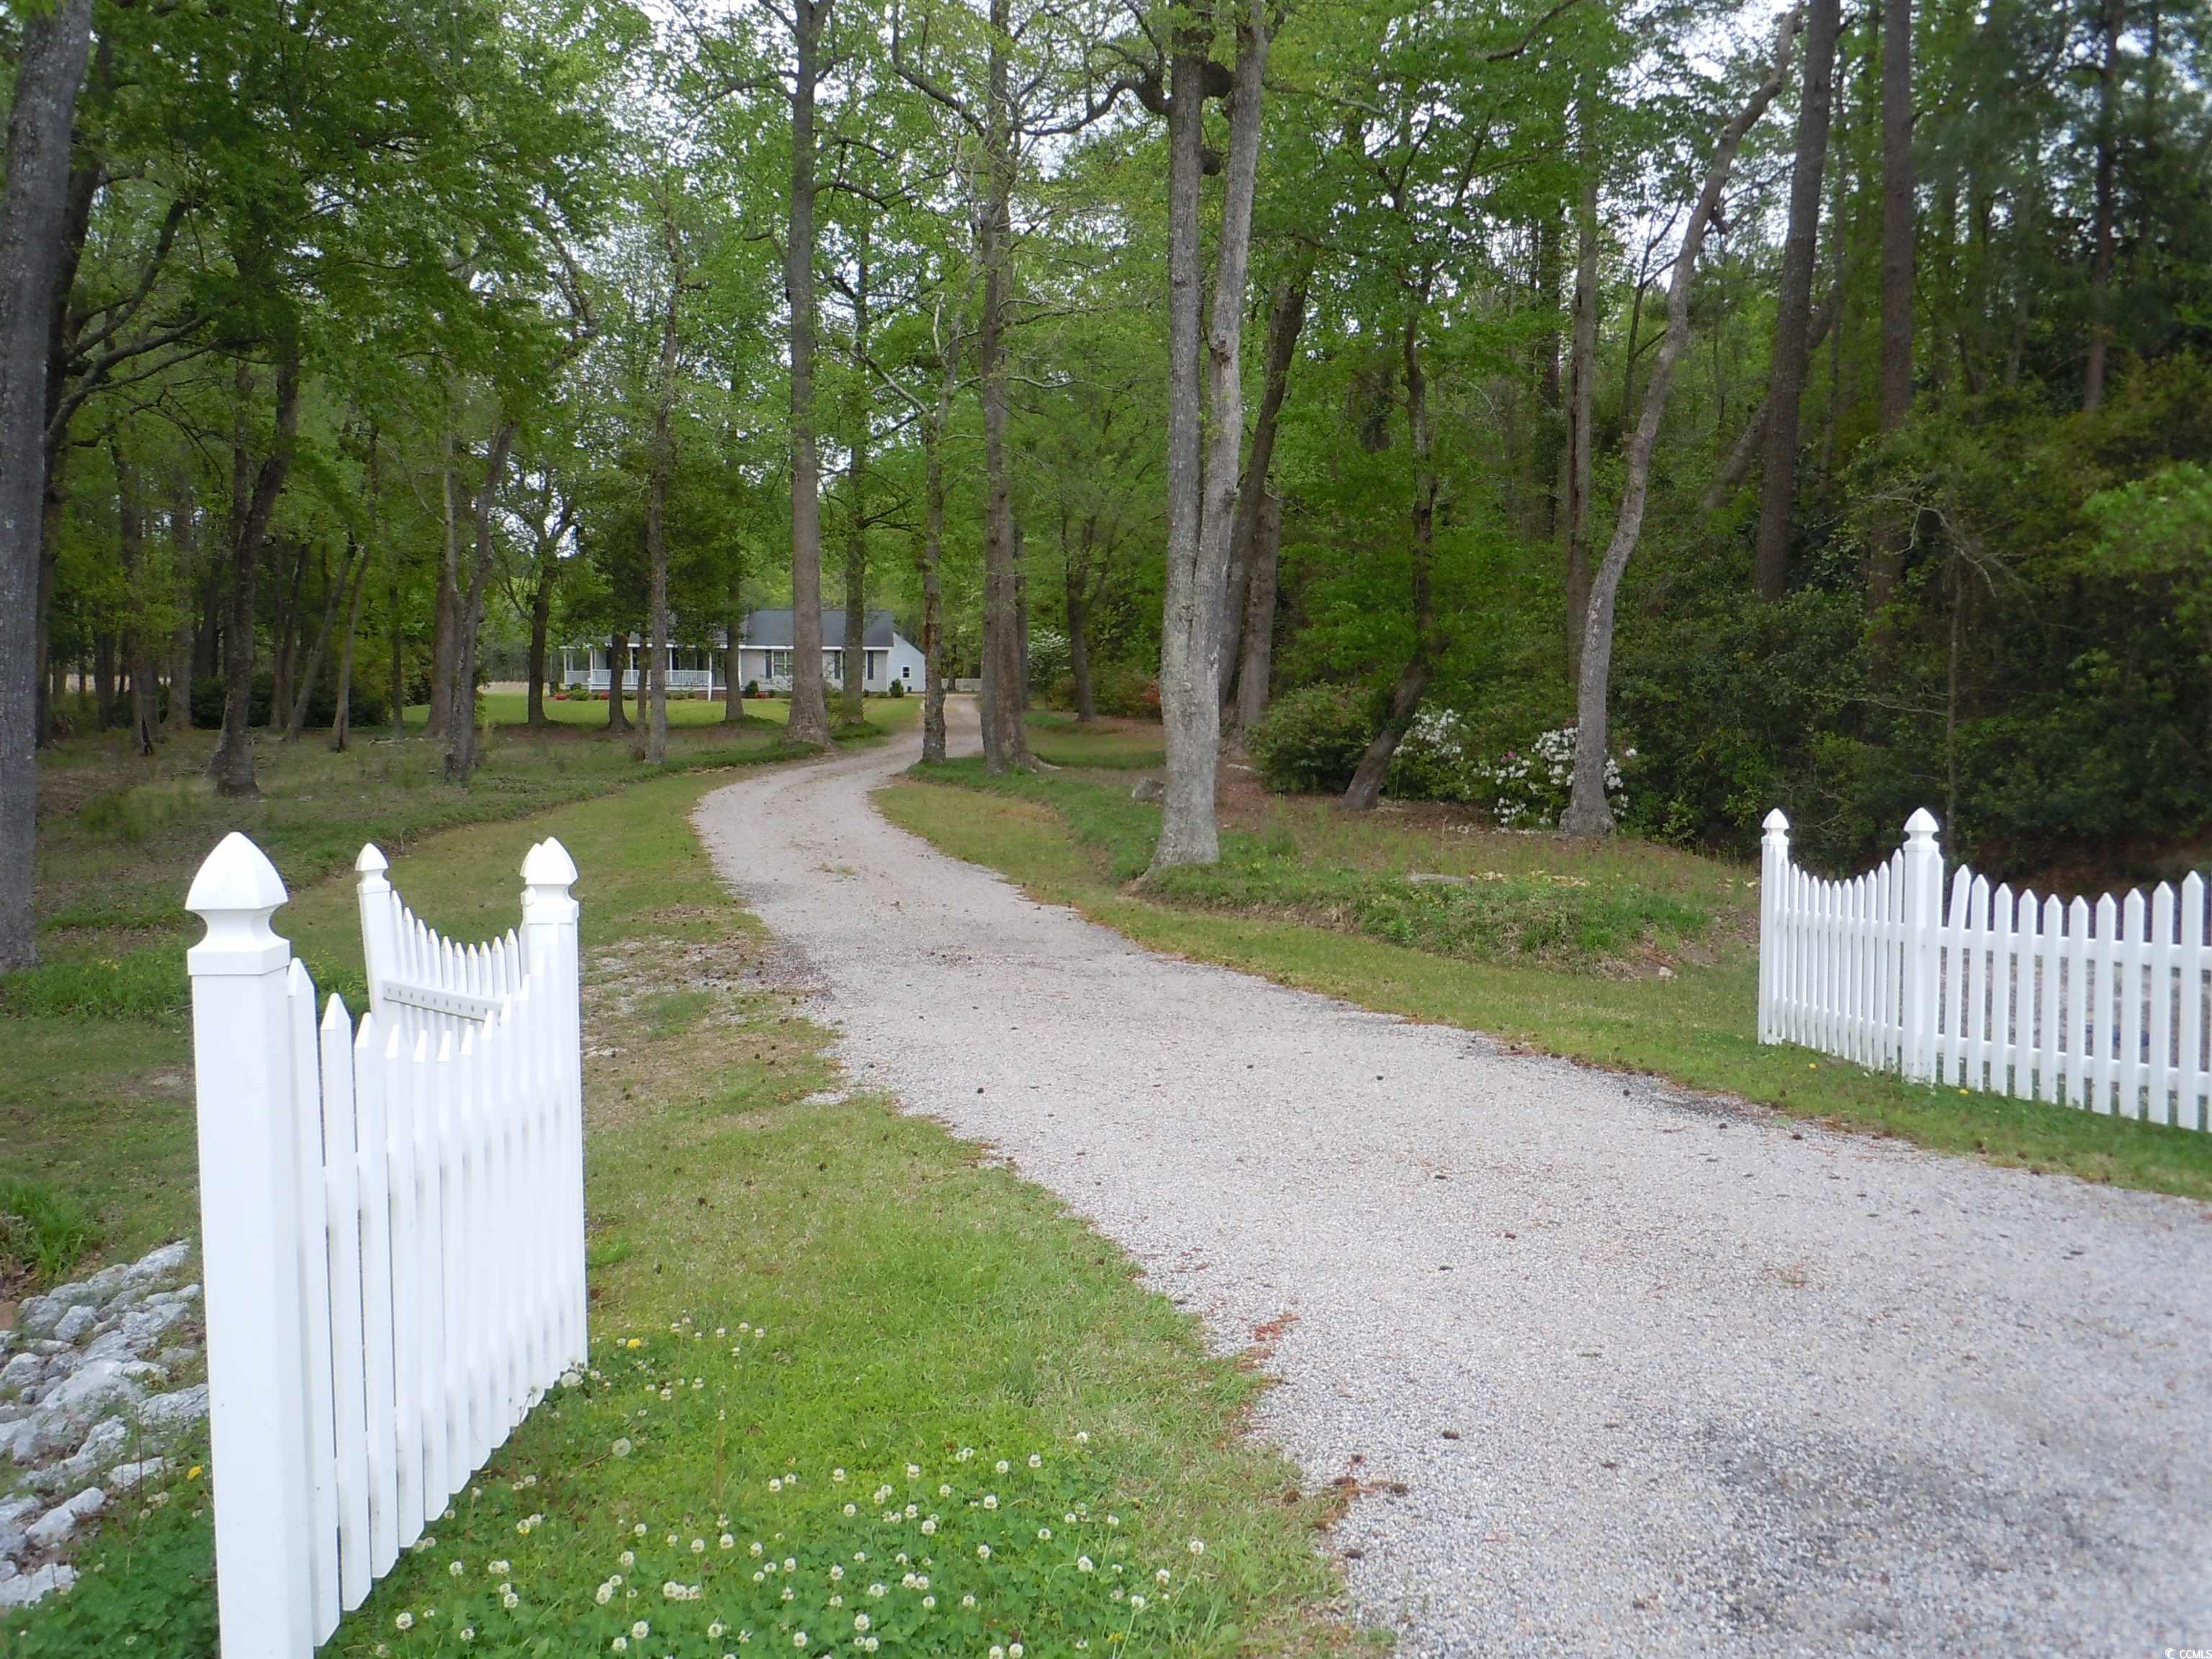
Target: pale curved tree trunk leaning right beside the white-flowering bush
x=1589 y=813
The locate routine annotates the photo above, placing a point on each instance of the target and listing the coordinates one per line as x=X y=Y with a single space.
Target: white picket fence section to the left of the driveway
x=393 y=1229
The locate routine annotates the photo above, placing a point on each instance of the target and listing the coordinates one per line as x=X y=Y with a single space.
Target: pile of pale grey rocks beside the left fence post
x=98 y=1381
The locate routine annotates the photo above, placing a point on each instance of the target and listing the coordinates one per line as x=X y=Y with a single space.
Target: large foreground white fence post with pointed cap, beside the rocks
x=249 y=1218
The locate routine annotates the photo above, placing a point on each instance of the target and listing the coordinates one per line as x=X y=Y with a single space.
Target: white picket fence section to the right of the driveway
x=2100 y=1005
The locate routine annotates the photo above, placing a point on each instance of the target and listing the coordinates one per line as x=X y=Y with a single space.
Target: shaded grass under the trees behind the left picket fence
x=96 y=1092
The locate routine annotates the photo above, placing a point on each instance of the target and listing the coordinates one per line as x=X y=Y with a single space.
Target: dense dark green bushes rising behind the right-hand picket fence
x=2041 y=680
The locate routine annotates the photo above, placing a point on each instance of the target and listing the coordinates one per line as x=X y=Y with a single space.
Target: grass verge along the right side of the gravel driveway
x=1618 y=954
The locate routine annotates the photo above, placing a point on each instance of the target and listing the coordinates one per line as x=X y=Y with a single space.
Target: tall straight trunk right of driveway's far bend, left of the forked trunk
x=1005 y=744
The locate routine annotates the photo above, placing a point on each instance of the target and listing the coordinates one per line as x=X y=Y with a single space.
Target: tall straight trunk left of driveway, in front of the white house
x=811 y=713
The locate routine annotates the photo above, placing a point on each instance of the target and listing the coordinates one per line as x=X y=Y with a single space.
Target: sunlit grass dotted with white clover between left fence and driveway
x=802 y=1302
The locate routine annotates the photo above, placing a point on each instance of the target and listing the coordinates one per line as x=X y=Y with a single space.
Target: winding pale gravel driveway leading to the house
x=1618 y=1370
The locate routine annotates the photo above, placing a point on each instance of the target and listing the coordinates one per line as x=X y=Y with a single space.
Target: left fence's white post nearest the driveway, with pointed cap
x=550 y=930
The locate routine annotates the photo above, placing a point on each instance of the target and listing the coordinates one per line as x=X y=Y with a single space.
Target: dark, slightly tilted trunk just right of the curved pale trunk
x=1793 y=309
